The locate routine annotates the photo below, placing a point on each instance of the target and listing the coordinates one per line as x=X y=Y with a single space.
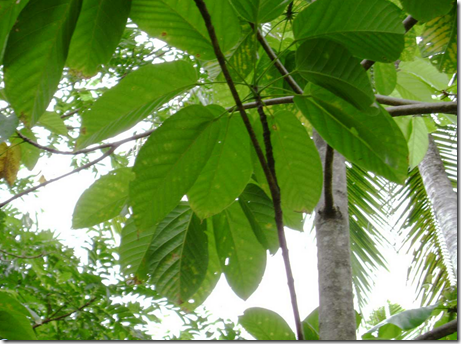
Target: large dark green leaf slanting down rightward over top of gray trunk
x=370 y=139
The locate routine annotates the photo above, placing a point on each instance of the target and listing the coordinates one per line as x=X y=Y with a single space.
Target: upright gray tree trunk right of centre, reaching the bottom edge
x=336 y=311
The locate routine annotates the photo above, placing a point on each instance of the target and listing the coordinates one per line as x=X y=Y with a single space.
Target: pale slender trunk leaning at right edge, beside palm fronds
x=443 y=198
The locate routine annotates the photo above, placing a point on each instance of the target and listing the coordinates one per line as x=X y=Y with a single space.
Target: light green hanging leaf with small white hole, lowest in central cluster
x=242 y=257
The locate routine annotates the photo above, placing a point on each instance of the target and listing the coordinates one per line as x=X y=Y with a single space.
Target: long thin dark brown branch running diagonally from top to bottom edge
x=270 y=178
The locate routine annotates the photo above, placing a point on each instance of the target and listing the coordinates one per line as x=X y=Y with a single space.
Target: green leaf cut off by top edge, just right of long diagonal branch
x=259 y=11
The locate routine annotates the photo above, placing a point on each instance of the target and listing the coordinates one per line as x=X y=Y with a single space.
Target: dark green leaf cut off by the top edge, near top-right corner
x=425 y=10
